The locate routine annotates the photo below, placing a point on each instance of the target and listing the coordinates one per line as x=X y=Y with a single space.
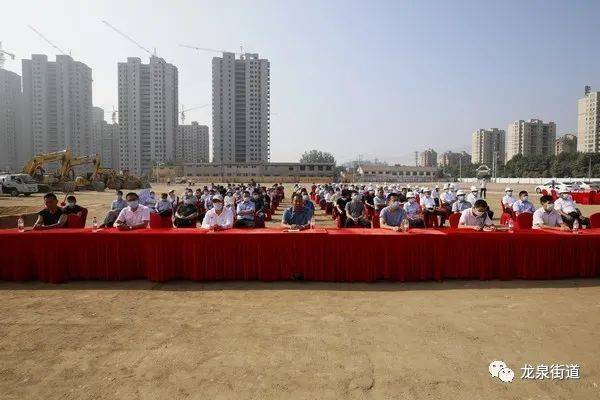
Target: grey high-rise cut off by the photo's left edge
x=10 y=121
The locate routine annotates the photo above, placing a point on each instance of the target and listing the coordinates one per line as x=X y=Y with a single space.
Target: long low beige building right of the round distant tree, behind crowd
x=395 y=173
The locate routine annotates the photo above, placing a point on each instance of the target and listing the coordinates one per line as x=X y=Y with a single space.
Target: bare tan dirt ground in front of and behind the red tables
x=294 y=340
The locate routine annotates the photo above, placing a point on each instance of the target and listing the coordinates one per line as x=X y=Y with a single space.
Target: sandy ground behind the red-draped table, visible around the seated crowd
x=98 y=203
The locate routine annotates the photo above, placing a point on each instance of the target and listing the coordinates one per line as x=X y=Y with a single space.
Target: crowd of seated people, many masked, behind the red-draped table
x=392 y=206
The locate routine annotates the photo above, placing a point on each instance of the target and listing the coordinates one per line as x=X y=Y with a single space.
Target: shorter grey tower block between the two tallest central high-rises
x=191 y=145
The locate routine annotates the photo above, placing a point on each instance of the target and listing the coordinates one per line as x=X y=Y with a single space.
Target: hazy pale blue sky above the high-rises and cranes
x=377 y=78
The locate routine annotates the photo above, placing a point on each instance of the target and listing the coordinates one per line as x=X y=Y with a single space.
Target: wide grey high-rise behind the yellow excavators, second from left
x=57 y=97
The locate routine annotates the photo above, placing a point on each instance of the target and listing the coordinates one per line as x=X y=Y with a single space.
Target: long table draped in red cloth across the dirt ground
x=342 y=255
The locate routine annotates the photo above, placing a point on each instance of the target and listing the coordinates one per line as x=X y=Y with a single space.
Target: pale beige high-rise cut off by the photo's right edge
x=588 y=122
